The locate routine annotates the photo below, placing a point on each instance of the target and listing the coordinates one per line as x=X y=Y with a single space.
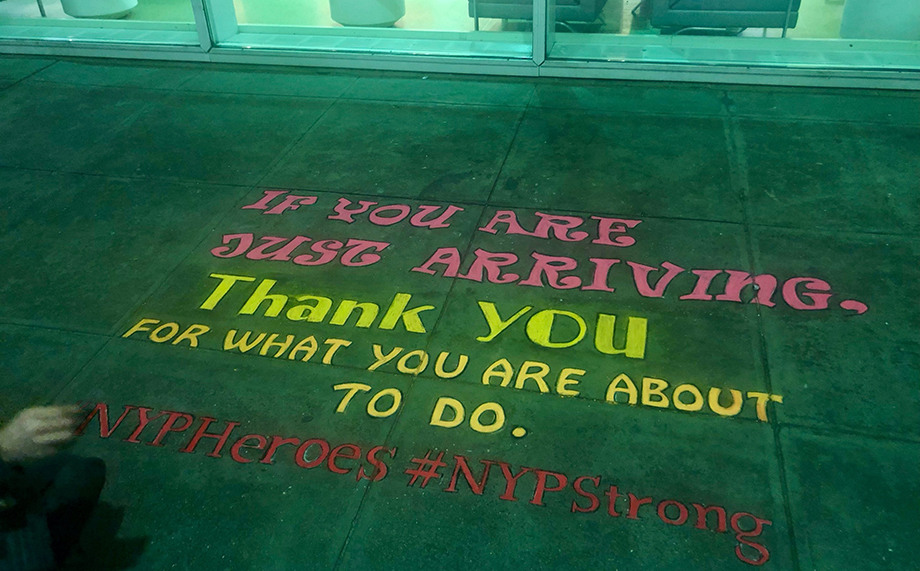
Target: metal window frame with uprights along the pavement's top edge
x=212 y=26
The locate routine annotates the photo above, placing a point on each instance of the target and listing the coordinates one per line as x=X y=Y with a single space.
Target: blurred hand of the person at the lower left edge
x=38 y=433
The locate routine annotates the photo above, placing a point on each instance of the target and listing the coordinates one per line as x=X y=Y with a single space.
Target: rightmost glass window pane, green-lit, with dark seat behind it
x=865 y=33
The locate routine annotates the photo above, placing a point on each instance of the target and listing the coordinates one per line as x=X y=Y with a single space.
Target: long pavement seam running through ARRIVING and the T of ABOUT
x=739 y=179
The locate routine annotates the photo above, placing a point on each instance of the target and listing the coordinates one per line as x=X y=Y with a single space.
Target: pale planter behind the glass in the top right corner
x=881 y=20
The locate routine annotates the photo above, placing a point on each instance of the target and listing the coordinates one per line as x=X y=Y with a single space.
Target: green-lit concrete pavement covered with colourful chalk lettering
x=129 y=191
